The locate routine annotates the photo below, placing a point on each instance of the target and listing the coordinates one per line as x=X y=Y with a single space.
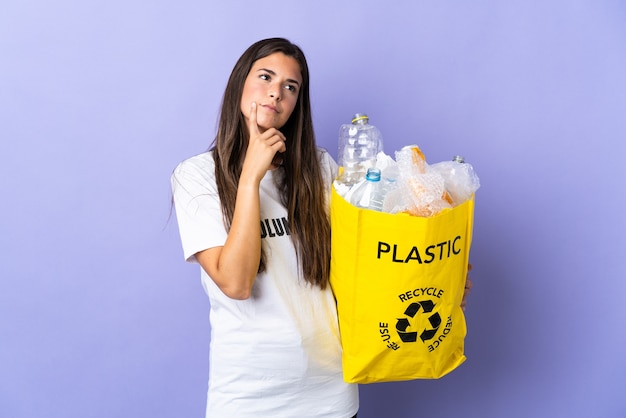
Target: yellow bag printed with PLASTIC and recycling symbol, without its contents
x=399 y=282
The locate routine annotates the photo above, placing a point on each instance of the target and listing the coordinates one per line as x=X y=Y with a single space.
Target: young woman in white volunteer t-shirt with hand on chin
x=253 y=212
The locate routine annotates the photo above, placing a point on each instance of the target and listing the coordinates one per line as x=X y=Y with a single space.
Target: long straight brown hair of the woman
x=303 y=187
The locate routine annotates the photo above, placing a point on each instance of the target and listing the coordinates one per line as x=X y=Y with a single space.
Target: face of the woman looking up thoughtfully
x=274 y=83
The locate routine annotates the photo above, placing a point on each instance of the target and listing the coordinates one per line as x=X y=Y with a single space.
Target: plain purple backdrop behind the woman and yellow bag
x=99 y=100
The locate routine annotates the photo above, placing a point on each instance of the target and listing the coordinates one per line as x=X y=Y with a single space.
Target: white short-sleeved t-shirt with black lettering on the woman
x=276 y=354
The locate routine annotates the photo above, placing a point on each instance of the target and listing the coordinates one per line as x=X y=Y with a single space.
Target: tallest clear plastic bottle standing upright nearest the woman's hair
x=359 y=144
